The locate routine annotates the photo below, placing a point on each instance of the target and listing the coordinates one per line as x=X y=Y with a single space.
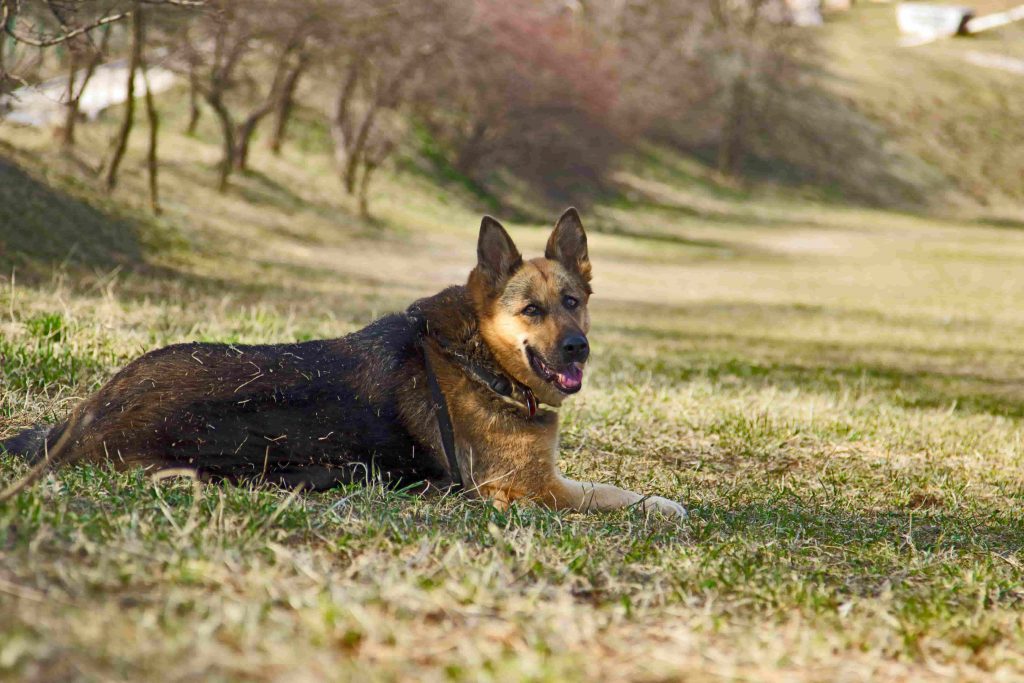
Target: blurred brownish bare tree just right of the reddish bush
x=731 y=63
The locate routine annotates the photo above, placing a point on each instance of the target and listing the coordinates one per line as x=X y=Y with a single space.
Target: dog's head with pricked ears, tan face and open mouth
x=533 y=315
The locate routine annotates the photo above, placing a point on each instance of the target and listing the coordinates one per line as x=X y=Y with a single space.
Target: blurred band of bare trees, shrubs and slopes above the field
x=529 y=105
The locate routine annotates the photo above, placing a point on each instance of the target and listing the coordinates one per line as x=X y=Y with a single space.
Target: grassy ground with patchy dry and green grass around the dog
x=835 y=393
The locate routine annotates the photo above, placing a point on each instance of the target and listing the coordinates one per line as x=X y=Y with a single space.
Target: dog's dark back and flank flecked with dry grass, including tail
x=316 y=413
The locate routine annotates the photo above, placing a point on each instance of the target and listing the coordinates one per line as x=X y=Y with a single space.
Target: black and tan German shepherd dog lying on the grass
x=464 y=387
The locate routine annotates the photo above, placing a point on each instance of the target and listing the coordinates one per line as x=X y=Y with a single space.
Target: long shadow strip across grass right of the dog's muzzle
x=917 y=381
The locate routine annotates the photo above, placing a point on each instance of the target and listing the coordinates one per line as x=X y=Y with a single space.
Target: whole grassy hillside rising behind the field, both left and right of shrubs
x=924 y=131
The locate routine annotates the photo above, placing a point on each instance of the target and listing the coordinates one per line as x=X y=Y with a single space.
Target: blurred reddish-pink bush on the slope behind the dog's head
x=527 y=93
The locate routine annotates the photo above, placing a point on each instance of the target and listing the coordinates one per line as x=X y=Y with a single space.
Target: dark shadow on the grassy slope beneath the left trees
x=48 y=230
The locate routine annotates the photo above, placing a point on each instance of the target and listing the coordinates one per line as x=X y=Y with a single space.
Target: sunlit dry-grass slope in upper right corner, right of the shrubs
x=951 y=130
